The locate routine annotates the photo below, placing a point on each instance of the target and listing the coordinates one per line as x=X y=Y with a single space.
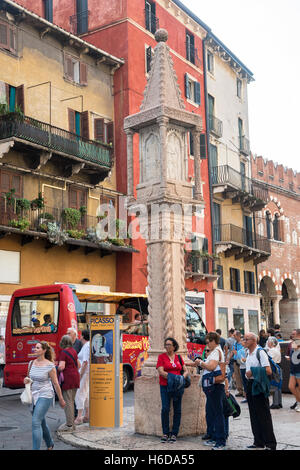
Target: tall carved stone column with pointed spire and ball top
x=165 y=197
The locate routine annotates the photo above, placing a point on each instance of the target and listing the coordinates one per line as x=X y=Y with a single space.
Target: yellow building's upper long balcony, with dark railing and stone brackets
x=36 y=137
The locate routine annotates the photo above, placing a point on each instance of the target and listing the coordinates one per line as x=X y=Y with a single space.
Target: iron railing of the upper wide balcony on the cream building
x=225 y=175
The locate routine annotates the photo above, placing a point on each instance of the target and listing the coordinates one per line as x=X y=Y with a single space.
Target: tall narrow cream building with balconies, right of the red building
x=235 y=196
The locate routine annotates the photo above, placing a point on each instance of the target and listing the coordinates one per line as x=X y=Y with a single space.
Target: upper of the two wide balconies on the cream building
x=238 y=187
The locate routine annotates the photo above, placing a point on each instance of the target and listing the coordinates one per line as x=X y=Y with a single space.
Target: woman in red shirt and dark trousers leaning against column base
x=169 y=363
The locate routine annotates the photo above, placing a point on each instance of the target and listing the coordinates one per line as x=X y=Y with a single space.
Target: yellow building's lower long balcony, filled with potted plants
x=52 y=225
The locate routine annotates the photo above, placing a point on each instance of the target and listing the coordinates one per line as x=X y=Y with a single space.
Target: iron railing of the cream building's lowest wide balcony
x=229 y=233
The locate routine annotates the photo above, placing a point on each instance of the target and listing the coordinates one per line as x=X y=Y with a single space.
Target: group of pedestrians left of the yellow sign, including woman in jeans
x=67 y=377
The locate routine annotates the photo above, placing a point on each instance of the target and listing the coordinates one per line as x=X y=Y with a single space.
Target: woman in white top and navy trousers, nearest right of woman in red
x=213 y=381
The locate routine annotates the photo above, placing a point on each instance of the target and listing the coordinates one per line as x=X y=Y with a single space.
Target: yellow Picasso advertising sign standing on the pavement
x=106 y=375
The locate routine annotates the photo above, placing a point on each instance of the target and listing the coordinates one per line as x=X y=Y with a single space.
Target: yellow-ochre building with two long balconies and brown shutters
x=56 y=157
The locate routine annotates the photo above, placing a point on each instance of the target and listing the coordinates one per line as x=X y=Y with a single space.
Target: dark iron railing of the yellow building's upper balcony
x=55 y=139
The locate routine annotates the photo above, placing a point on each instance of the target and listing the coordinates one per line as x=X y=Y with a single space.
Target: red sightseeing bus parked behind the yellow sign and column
x=46 y=312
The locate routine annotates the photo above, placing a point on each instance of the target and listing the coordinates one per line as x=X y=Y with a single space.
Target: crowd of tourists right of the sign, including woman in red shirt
x=247 y=363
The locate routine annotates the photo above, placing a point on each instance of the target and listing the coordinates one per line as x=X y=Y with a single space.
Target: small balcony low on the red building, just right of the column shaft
x=199 y=267
